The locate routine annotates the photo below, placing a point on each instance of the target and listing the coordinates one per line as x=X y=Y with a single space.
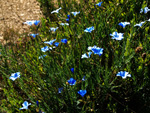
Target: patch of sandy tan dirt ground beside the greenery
x=14 y=12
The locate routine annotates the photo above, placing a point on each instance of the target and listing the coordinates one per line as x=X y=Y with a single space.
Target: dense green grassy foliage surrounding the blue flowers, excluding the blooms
x=41 y=78
